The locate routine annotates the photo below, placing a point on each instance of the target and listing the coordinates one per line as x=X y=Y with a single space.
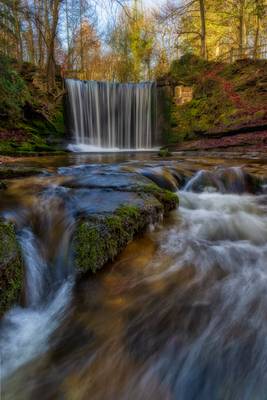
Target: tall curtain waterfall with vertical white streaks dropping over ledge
x=112 y=115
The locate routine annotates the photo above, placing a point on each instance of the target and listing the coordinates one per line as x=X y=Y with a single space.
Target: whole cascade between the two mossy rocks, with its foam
x=25 y=332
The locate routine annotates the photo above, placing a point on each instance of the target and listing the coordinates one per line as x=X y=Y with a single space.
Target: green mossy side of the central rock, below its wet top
x=99 y=238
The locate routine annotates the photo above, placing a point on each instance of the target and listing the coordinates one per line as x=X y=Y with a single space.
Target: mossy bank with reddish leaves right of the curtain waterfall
x=226 y=98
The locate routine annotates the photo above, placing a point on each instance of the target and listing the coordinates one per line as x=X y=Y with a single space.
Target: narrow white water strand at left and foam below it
x=25 y=332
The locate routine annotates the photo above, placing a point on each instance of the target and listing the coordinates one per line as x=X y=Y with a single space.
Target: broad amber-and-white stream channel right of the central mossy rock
x=181 y=314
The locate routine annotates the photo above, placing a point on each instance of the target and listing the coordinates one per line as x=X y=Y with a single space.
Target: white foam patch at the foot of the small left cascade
x=25 y=332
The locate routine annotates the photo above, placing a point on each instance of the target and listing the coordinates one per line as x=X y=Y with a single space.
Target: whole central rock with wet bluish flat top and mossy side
x=110 y=209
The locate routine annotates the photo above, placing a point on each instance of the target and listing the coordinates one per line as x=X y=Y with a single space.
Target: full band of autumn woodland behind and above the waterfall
x=139 y=45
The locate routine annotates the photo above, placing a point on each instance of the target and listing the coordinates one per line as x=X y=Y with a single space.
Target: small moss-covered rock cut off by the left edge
x=11 y=267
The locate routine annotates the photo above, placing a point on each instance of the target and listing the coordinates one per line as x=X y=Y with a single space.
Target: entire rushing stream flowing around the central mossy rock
x=181 y=314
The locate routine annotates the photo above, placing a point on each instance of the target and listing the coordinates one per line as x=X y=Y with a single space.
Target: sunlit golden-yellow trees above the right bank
x=210 y=28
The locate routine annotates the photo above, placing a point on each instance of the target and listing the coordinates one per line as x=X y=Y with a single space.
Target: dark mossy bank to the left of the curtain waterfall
x=31 y=119
